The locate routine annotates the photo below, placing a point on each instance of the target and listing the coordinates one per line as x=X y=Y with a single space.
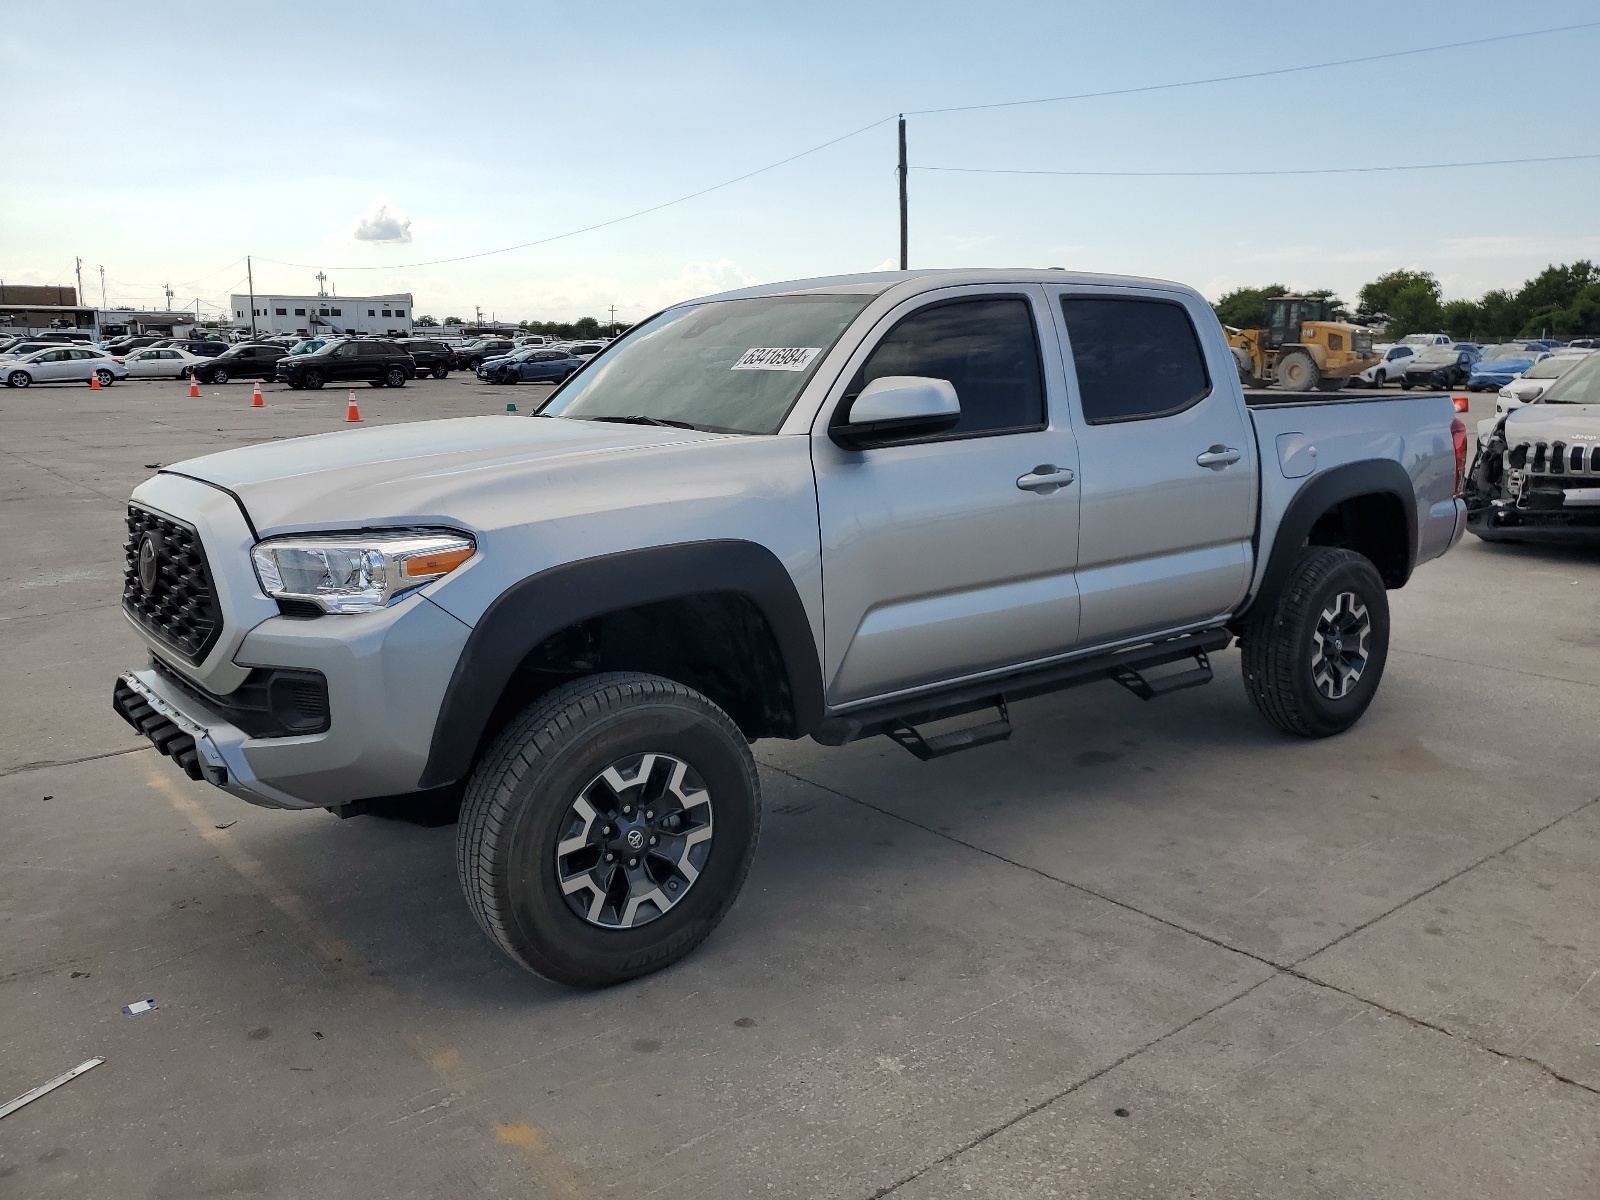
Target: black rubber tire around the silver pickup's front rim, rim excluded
x=521 y=796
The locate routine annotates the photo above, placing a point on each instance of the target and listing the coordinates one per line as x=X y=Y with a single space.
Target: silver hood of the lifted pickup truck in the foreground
x=415 y=473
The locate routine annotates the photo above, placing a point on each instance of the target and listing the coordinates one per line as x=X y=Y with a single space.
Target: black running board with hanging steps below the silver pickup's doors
x=898 y=721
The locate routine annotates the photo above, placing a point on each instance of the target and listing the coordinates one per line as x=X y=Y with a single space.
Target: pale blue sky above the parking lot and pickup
x=166 y=148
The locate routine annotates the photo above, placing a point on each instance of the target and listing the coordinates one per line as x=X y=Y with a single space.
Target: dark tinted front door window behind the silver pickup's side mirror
x=986 y=348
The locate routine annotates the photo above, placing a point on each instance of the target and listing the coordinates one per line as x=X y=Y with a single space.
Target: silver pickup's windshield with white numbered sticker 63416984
x=729 y=366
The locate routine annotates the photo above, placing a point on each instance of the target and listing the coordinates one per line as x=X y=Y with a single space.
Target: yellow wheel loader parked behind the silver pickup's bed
x=1302 y=348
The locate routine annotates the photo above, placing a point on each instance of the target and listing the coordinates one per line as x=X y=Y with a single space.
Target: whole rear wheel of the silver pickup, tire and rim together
x=1314 y=655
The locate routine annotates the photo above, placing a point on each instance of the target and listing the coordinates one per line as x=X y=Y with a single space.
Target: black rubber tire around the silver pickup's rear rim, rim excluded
x=1279 y=650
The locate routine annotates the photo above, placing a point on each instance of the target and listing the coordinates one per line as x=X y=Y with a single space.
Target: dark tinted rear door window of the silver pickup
x=1137 y=359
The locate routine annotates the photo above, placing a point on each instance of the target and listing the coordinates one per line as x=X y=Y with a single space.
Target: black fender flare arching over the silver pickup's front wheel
x=535 y=609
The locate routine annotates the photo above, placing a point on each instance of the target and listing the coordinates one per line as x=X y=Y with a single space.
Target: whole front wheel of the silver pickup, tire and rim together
x=609 y=830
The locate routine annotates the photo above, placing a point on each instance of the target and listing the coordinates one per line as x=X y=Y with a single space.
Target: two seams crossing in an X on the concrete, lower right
x=1292 y=970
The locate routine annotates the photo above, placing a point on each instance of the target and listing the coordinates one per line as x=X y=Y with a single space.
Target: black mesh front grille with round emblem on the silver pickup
x=174 y=598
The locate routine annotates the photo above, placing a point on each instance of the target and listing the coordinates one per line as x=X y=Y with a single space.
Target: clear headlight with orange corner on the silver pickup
x=358 y=572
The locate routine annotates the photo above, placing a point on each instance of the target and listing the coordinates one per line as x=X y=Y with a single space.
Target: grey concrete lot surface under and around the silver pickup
x=1140 y=950
